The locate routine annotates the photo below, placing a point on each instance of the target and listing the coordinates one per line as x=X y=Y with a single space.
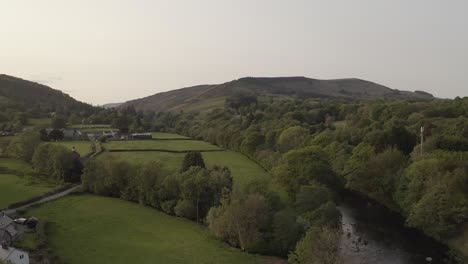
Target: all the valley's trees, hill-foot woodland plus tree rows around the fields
x=314 y=149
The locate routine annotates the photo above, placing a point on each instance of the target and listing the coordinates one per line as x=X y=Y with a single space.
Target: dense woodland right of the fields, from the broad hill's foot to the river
x=370 y=147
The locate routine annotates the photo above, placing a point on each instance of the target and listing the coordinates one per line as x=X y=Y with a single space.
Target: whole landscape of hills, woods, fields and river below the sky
x=250 y=171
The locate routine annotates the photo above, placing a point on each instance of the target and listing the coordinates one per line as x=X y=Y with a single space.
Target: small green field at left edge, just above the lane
x=17 y=185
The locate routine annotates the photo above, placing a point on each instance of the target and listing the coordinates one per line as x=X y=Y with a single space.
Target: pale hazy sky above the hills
x=103 y=51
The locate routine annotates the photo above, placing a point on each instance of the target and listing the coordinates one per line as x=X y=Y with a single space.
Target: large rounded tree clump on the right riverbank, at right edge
x=433 y=193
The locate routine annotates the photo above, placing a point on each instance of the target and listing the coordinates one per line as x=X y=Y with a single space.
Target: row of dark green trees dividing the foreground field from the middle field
x=189 y=194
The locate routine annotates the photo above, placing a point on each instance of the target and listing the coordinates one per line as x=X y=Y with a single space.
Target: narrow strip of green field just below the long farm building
x=177 y=145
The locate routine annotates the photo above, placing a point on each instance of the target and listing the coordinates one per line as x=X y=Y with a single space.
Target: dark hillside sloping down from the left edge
x=23 y=95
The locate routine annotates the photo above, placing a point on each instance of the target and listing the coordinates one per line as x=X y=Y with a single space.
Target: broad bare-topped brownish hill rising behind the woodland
x=207 y=96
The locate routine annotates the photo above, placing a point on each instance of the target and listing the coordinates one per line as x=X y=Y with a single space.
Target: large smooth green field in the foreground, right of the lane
x=91 y=229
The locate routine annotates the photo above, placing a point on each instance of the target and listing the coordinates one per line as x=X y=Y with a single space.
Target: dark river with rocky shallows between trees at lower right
x=374 y=235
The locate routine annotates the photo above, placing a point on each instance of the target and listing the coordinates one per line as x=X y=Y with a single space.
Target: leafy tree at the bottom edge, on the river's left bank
x=319 y=246
